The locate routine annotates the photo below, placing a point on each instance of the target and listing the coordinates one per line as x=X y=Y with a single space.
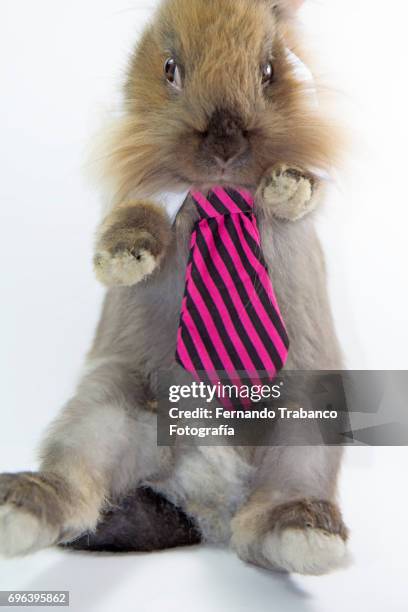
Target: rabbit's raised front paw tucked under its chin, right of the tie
x=289 y=192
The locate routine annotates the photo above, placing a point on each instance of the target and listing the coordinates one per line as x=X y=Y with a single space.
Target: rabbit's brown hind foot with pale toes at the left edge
x=31 y=510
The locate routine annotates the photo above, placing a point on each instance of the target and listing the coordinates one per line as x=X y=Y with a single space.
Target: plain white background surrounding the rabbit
x=60 y=68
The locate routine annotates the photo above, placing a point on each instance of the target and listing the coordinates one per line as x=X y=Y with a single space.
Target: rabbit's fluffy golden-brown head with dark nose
x=213 y=96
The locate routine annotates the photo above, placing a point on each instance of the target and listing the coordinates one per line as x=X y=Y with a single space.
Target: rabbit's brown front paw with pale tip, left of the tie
x=131 y=243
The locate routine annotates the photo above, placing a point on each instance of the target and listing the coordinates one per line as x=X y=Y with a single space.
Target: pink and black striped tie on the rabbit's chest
x=230 y=320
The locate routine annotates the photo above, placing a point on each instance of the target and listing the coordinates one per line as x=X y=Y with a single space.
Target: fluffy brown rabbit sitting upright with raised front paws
x=213 y=96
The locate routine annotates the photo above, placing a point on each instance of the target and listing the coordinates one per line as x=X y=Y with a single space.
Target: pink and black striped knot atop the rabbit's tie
x=221 y=201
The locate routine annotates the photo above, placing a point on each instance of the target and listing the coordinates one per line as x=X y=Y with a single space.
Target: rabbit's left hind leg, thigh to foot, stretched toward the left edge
x=103 y=443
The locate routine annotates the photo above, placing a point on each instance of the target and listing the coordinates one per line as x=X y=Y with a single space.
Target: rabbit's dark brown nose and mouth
x=225 y=138
